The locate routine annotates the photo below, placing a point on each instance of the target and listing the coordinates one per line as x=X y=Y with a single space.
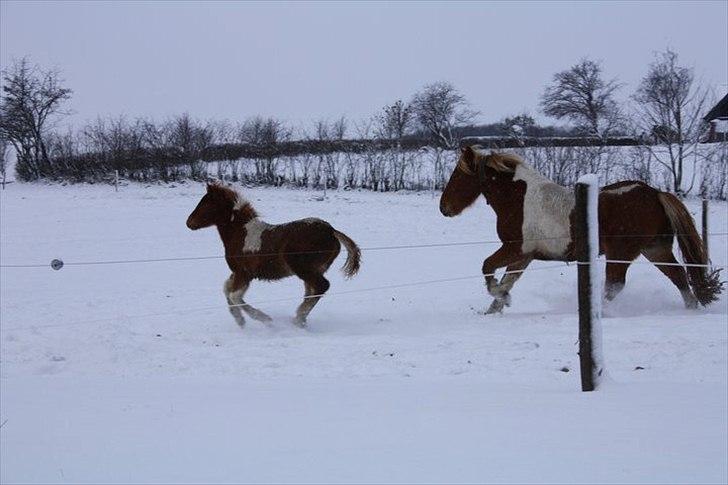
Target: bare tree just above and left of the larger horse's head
x=439 y=108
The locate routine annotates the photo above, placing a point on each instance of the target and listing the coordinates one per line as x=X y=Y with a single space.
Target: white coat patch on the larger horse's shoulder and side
x=546 y=210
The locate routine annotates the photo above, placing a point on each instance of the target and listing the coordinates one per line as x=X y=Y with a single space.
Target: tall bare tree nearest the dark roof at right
x=670 y=105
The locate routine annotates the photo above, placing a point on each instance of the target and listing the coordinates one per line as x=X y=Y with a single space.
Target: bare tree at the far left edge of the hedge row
x=31 y=99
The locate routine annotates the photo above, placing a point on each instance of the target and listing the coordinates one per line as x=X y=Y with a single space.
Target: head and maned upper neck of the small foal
x=220 y=205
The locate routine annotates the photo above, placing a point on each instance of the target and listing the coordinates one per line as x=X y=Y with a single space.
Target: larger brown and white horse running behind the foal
x=535 y=220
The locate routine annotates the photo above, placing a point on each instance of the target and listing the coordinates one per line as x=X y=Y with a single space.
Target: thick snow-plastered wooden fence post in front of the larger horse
x=586 y=235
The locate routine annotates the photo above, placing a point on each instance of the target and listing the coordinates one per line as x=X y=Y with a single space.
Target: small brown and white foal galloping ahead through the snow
x=257 y=250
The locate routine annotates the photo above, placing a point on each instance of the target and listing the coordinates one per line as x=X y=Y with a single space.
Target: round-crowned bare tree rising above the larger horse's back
x=581 y=95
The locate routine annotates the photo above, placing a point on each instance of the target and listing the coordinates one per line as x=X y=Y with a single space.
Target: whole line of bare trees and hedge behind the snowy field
x=383 y=152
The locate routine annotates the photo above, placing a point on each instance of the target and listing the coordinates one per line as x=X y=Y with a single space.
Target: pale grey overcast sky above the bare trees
x=303 y=61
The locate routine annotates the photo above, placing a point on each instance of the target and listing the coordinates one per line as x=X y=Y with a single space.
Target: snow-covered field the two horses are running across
x=137 y=372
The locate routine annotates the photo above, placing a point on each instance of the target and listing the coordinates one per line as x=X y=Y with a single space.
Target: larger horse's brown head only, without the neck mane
x=464 y=185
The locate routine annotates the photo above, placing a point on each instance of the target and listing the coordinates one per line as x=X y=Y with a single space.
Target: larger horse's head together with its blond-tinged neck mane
x=471 y=176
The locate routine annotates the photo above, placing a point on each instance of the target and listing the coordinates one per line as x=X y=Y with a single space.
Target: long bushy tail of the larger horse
x=705 y=284
